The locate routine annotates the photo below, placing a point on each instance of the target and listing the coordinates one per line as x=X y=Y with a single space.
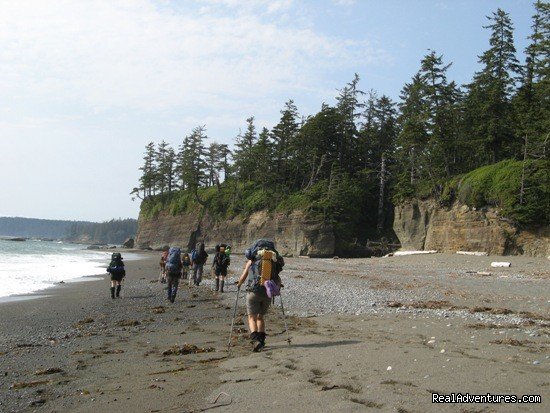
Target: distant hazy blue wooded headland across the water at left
x=115 y=231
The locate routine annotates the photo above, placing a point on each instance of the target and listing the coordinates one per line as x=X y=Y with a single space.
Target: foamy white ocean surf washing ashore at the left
x=33 y=265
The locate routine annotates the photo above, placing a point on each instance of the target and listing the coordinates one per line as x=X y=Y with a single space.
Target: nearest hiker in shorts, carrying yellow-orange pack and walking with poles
x=265 y=263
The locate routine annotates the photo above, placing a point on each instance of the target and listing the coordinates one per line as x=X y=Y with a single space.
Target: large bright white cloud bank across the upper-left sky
x=146 y=56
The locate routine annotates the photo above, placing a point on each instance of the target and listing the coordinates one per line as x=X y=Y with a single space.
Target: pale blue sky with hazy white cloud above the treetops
x=85 y=85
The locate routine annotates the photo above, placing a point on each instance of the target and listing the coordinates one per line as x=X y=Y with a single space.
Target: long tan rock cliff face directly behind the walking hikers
x=293 y=233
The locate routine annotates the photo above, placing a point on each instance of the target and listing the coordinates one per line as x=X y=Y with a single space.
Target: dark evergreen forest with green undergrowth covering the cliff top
x=484 y=143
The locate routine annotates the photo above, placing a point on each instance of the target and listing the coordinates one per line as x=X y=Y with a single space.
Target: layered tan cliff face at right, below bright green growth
x=425 y=225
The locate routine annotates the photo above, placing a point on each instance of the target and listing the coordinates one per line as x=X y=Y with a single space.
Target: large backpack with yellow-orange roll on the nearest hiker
x=266 y=266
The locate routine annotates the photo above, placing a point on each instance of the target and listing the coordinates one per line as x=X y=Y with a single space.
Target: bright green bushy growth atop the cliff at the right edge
x=498 y=185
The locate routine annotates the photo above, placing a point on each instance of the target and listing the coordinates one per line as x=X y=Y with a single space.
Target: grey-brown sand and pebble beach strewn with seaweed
x=378 y=334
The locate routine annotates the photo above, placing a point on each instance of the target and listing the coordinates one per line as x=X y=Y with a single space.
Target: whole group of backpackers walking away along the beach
x=263 y=263
